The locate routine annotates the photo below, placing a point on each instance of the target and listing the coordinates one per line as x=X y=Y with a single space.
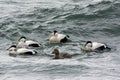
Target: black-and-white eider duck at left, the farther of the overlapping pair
x=23 y=42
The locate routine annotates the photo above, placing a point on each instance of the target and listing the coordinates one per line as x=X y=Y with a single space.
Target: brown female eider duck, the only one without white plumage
x=59 y=55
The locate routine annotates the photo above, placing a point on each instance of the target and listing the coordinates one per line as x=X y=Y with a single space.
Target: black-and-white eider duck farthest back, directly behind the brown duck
x=58 y=38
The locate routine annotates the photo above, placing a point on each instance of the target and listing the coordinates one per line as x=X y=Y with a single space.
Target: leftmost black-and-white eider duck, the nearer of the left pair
x=13 y=51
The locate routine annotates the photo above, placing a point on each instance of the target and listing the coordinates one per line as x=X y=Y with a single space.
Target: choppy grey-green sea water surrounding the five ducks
x=82 y=20
